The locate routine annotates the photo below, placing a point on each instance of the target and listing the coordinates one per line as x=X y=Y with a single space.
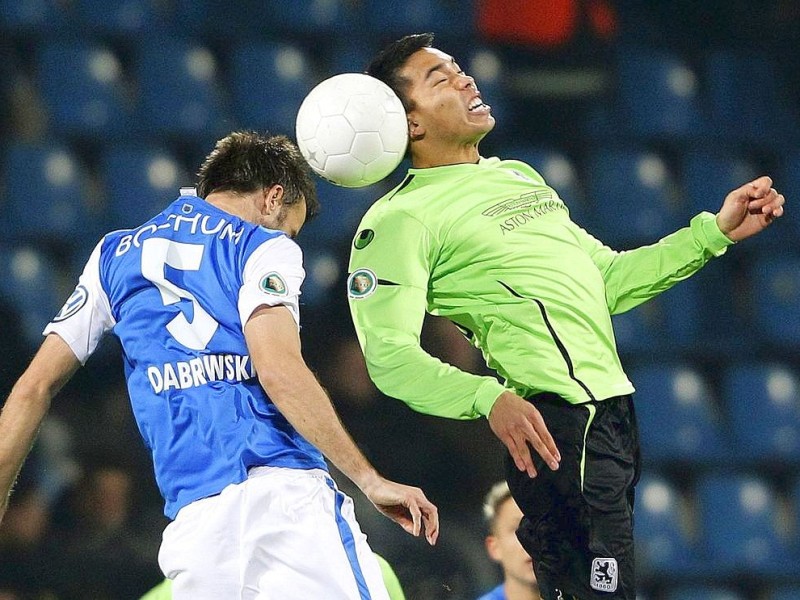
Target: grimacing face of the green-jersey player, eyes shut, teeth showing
x=446 y=104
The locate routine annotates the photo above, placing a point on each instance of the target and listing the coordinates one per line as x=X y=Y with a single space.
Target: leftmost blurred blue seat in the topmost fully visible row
x=82 y=89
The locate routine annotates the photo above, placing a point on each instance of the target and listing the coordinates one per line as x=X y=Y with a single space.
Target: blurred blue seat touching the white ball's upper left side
x=268 y=83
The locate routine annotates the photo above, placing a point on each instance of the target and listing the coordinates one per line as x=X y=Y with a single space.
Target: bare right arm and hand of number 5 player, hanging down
x=274 y=345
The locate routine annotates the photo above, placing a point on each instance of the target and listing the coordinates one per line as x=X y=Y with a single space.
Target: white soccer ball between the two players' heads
x=352 y=130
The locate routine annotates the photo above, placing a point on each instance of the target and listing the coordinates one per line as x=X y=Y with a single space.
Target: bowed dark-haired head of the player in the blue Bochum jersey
x=245 y=163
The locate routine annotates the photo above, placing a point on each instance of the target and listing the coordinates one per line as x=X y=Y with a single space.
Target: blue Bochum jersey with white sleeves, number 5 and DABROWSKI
x=177 y=292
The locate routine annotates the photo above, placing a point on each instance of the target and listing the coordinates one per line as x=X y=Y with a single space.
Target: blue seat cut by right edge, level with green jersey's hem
x=763 y=401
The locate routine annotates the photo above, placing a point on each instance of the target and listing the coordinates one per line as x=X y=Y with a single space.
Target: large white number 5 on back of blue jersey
x=156 y=254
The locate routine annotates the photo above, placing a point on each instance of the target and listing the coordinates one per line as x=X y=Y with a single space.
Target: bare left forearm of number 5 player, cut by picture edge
x=27 y=405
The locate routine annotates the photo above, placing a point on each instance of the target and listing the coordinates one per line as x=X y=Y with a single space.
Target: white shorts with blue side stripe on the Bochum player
x=283 y=534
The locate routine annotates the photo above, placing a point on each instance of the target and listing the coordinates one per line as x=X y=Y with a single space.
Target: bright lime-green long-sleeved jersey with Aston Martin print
x=491 y=247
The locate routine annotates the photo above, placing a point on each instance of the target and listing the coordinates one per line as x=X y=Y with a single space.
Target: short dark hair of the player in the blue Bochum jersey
x=246 y=161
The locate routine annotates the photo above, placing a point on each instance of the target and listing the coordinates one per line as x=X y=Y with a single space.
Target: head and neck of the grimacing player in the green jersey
x=446 y=116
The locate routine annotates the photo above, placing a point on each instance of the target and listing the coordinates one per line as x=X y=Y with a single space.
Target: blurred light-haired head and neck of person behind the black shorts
x=502 y=519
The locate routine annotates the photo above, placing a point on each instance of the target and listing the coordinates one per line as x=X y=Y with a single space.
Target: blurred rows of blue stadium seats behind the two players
x=107 y=107
